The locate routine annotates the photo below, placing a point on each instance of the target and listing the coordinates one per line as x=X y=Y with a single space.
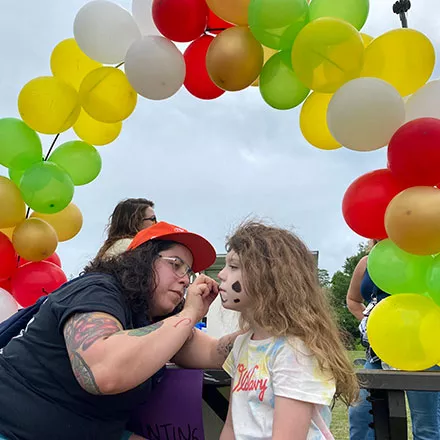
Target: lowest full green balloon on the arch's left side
x=46 y=188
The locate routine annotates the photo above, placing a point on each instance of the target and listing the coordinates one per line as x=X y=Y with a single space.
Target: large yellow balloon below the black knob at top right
x=403 y=57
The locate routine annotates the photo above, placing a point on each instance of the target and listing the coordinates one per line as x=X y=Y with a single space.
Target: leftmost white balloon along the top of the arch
x=104 y=31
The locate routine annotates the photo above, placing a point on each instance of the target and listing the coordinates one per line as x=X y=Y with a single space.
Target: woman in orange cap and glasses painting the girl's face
x=98 y=345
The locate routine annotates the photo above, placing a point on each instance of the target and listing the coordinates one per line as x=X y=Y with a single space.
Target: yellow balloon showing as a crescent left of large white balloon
x=313 y=122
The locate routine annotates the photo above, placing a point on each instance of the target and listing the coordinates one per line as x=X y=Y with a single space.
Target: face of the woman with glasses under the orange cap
x=173 y=271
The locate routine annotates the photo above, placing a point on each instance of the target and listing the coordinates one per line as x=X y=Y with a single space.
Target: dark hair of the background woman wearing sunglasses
x=125 y=222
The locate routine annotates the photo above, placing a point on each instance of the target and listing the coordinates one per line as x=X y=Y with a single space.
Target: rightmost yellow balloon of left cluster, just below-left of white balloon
x=107 y=96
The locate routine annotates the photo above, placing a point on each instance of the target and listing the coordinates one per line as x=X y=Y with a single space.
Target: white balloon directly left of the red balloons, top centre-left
x=155 y=67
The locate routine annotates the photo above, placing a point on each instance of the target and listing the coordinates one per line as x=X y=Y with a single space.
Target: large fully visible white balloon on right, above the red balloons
x=364 y=114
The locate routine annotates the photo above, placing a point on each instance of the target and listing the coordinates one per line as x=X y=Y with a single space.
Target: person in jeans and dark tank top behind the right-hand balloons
x=424 y=406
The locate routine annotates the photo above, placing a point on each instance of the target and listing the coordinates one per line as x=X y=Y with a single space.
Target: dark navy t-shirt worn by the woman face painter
x=40 y=398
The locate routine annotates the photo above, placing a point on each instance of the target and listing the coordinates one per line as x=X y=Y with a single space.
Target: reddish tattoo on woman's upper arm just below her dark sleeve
x=84 y=329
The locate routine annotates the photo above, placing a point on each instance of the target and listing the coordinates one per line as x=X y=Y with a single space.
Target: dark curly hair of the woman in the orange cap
x=134 y=272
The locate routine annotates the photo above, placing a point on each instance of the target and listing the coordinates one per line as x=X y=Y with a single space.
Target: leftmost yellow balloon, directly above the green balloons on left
x=48 y=105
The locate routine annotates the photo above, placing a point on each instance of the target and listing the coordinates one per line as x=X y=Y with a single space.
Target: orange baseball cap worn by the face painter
x=201 y=249
